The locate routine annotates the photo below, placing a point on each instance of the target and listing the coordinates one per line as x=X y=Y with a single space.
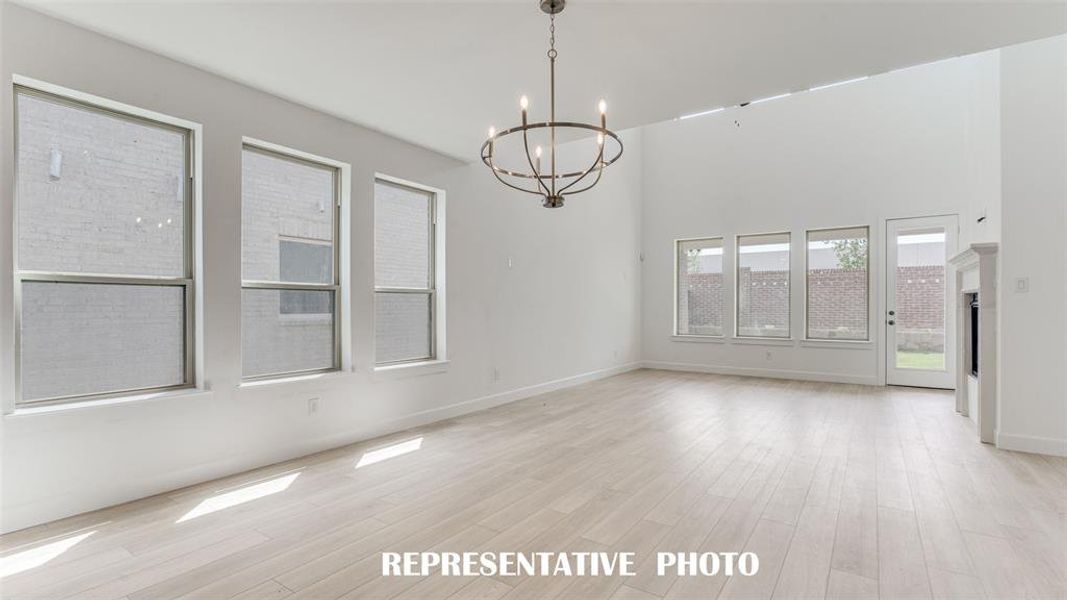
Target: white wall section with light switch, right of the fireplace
x=1033 y=337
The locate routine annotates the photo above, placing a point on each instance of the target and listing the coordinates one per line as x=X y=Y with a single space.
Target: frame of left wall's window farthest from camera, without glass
x=435 y=280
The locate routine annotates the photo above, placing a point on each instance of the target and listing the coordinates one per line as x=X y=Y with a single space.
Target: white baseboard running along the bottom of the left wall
x=120 y=493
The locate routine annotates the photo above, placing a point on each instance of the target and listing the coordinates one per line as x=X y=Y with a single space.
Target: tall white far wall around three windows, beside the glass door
x=920 y=141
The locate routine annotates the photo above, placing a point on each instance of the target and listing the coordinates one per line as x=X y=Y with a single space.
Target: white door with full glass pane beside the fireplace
x=920 y=319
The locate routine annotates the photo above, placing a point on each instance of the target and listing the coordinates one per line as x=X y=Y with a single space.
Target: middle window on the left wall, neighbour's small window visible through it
x=290 y=231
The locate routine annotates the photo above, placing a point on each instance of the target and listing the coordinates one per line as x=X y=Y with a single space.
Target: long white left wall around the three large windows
x=568 y=307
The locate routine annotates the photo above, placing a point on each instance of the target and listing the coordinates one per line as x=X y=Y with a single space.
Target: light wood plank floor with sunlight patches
x=843 y=492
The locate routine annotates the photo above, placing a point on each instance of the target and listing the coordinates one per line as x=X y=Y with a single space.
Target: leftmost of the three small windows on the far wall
x=700 y=288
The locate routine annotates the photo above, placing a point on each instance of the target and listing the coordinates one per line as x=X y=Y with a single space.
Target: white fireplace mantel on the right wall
x=977 y=273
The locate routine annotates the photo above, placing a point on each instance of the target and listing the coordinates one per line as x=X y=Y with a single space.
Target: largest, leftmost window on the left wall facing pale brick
x=104 y=256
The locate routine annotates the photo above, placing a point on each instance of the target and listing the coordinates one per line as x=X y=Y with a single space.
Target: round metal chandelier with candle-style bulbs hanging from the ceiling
x=547 y=181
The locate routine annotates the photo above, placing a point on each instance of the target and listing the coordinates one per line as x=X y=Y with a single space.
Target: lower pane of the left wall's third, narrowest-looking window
x=402 y=327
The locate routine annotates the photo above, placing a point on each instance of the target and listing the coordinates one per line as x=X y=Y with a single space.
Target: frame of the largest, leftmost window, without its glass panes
x=190 y=133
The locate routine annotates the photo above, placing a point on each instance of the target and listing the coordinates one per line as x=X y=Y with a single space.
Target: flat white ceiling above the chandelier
x=439 y=74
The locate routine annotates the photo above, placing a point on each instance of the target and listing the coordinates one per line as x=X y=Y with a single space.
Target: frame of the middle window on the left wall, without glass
x=340 y=171
